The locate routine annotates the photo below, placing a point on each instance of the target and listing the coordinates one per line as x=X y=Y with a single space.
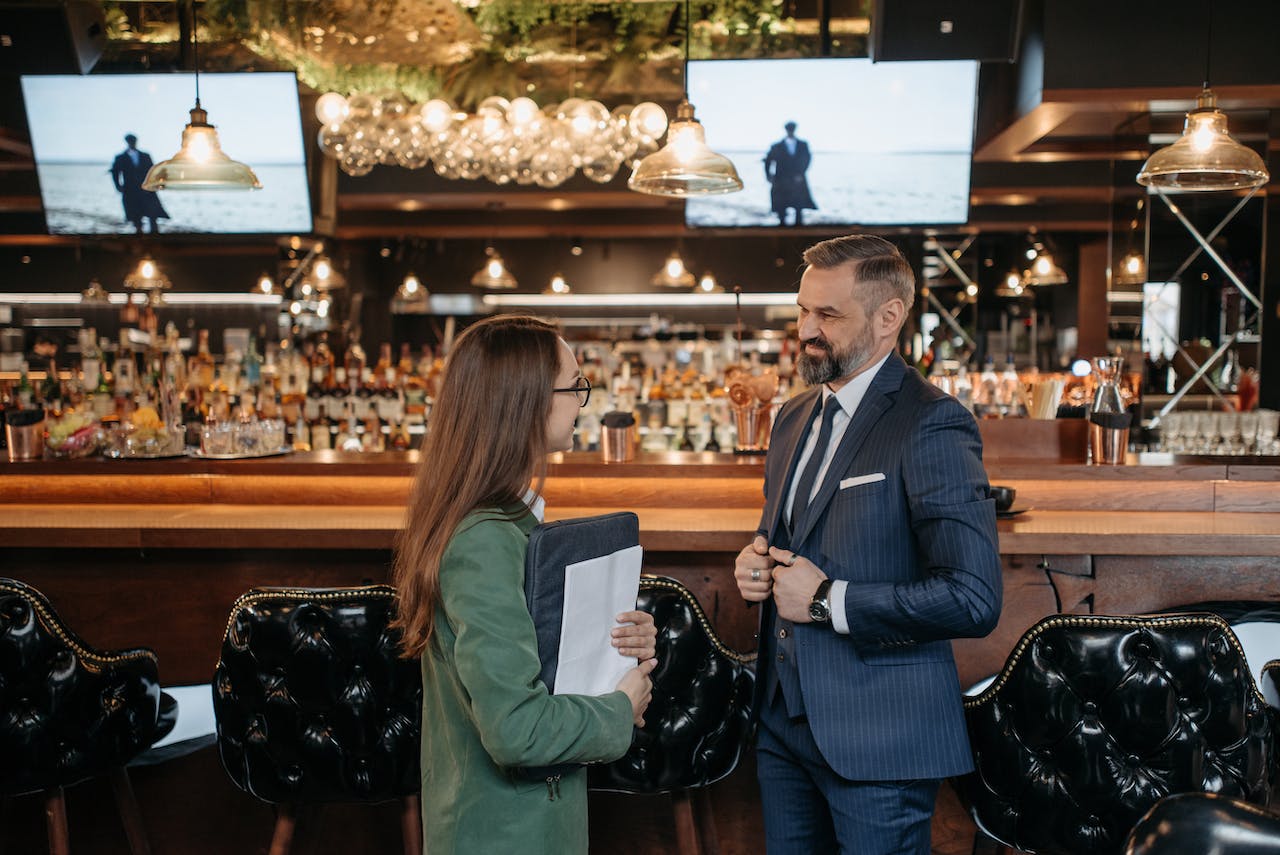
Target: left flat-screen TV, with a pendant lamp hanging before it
x=79 y=129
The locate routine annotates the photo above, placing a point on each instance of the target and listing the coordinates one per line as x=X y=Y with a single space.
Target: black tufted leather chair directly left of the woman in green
x=314 y=705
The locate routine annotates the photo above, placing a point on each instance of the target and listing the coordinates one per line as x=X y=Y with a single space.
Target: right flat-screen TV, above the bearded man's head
x=874 y=144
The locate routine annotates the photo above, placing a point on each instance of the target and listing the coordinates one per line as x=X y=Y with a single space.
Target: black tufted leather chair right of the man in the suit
x=1096 y=719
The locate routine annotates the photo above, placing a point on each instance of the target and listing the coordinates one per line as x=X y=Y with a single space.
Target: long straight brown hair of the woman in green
x=487 y=442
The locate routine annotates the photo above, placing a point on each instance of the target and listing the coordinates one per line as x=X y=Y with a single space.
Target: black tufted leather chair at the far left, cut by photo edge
x=70 y=712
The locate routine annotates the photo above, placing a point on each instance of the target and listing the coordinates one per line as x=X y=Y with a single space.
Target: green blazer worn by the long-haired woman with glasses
x=486 y=711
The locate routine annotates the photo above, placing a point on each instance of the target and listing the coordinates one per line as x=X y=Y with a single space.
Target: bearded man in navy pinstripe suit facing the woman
x=876 y=548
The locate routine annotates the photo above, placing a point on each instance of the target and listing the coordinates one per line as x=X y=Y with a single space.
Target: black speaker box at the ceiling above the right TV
x=918 y=30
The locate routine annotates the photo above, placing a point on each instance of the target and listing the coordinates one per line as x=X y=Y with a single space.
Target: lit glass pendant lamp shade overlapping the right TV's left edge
x=685 y=166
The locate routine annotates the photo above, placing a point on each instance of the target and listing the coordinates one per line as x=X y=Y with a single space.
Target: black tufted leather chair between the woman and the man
x=700 y=719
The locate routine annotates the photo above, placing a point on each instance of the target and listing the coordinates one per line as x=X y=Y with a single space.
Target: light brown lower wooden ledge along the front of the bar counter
x=246 y=527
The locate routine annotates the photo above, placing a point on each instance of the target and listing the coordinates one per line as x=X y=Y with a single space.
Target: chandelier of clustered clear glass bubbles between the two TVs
x=506 y=143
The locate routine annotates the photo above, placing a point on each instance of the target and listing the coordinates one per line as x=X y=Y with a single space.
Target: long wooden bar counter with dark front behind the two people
x=154 y=554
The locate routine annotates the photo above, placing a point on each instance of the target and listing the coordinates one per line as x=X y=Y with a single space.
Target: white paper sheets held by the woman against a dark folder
x=596 y=592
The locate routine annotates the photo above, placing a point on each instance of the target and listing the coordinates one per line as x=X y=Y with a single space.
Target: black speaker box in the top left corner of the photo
x=52 y=38
